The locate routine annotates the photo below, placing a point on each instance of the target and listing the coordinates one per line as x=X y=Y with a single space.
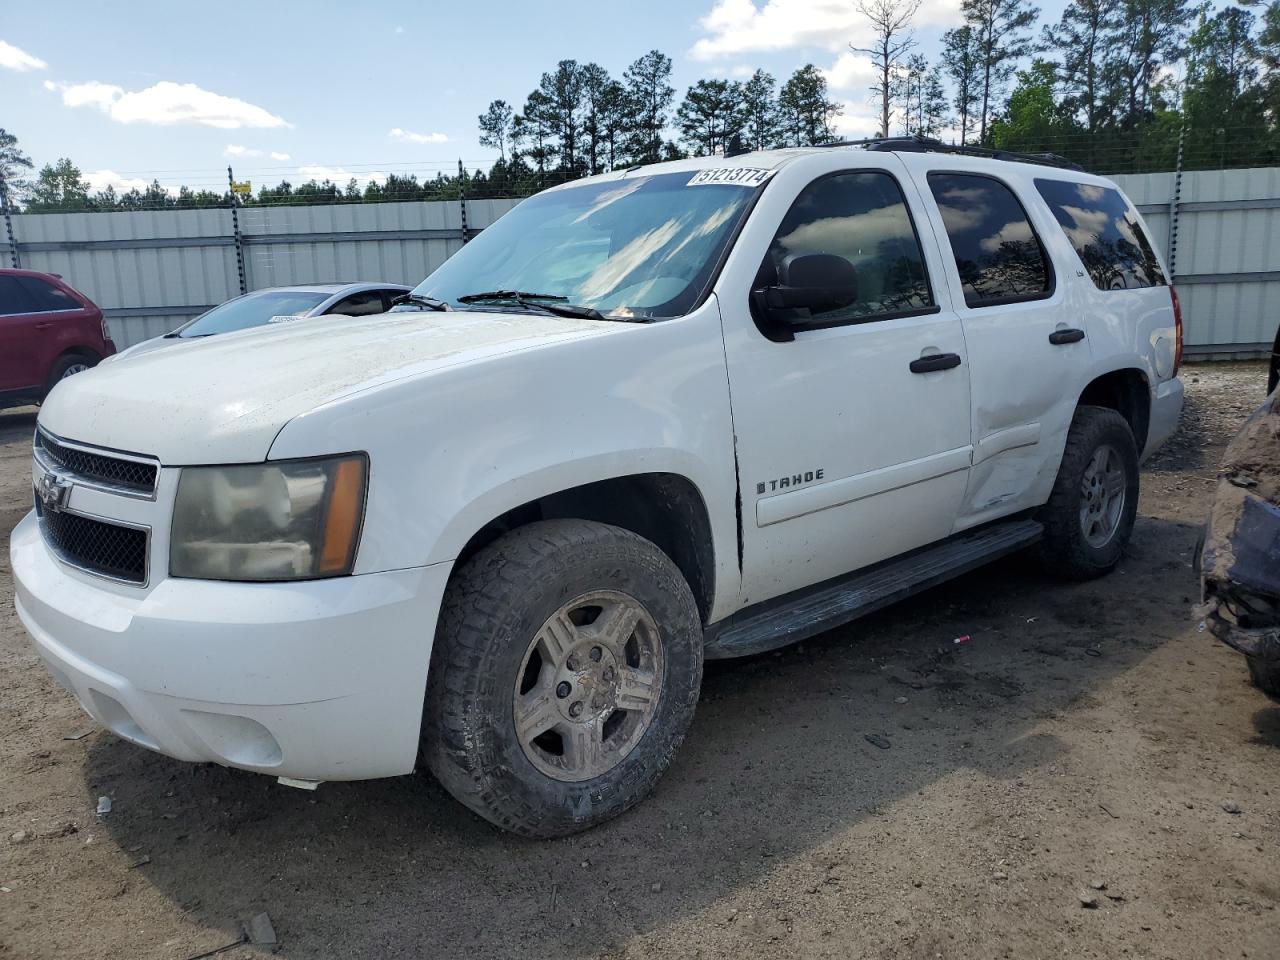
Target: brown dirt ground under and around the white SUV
x=1053 y=788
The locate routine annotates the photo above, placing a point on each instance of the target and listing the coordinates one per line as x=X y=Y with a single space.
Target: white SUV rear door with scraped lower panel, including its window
x=1028 y=350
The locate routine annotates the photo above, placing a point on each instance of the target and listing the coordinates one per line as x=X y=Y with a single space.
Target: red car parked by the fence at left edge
x=48 y=332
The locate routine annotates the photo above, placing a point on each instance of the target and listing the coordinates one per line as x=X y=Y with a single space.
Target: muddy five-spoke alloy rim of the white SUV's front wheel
x=588 y=687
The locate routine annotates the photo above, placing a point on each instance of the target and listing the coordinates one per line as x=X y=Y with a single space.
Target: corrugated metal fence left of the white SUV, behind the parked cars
x=152 y=271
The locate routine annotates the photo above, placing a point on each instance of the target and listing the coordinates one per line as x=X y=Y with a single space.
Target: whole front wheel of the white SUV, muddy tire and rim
x=566 y=671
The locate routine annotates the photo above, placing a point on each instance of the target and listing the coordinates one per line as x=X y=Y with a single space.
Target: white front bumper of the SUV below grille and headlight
x=321 y=680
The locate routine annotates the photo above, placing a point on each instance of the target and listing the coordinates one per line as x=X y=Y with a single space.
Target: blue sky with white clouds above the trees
x=289 y=90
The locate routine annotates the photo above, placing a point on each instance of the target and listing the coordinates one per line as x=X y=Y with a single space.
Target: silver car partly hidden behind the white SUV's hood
x=280 y=305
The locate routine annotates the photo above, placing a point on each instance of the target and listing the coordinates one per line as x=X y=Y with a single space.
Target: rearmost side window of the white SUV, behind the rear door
x=1109 y=239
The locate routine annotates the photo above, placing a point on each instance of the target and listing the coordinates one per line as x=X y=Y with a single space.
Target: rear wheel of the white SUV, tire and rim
x=1090 y=516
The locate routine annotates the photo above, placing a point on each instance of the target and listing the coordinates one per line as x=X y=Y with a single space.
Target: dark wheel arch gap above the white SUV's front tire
x=666 y=509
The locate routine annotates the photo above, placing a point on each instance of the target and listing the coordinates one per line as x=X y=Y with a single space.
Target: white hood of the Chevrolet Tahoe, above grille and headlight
x=223 y=400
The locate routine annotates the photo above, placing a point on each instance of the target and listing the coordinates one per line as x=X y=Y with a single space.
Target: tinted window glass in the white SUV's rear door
x=998 y=254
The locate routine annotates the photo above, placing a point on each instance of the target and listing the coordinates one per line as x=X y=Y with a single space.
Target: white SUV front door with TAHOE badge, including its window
x=852 y=424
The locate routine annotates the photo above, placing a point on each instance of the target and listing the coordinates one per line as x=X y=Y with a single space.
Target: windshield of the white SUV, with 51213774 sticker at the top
x=638 y=248
